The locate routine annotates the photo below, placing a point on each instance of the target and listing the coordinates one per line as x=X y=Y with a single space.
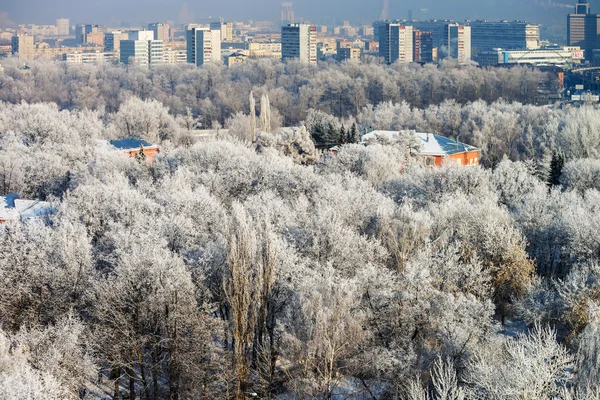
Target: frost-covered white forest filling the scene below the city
x=265 y=268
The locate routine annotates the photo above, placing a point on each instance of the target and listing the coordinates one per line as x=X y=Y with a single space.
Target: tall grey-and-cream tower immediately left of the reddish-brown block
x=396 y=43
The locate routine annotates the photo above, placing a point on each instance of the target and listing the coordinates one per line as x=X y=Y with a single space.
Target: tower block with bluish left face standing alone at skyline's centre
x=299 y=41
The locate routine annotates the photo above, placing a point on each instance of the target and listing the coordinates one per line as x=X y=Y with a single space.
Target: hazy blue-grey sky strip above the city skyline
x=317 y=11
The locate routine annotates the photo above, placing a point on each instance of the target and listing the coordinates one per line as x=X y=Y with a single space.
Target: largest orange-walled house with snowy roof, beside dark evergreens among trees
x=441 y=150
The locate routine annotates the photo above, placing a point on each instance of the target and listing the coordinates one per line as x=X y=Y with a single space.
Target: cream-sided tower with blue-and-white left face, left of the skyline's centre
x=203 y=46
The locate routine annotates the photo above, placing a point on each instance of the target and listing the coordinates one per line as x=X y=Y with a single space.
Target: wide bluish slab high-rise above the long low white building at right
x=486 y=36
